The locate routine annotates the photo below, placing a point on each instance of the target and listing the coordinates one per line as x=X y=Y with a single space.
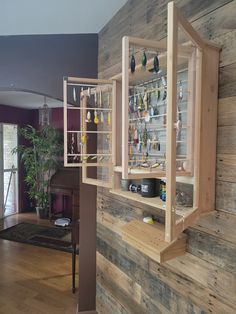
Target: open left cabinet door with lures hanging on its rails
x=88 y=127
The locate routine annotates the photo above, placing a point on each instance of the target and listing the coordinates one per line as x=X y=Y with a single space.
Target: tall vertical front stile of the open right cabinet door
x=171 y=118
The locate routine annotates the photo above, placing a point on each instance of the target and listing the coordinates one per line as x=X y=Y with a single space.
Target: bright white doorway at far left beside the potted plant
x=9 y=198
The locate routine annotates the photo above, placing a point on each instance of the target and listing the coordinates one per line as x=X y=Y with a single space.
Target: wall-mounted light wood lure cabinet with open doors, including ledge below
x=156 y=120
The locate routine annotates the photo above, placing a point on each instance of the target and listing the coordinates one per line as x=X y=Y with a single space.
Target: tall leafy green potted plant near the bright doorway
x=41 y=157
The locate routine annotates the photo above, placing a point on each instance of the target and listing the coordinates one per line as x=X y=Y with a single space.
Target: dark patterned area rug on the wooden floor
x=50 y=237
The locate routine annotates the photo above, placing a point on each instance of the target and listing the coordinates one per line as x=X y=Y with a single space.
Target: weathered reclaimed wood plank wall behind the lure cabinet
x=204 y=279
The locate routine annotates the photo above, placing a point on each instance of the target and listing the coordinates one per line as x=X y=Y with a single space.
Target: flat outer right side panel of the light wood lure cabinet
x=209 y=128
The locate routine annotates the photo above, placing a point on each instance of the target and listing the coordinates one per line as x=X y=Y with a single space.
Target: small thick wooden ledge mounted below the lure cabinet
x=150 y=240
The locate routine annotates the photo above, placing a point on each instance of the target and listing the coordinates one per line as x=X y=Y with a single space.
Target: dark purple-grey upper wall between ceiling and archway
x=39 y=62
